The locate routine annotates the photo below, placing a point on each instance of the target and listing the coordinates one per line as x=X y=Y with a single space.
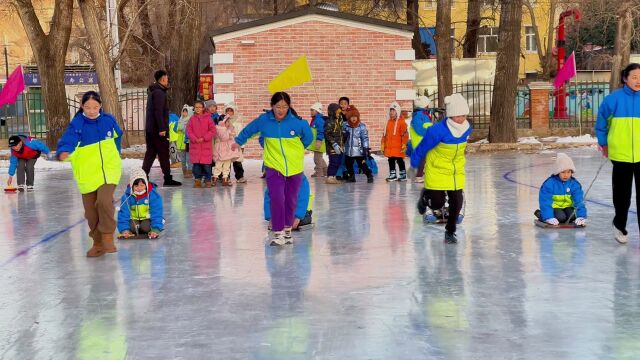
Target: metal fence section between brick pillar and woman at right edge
x=583 y=101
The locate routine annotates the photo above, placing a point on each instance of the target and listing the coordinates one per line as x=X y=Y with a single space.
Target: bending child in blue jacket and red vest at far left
x=24 y=154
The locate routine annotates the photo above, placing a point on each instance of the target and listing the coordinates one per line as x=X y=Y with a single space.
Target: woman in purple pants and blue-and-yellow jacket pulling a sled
x=285 y=139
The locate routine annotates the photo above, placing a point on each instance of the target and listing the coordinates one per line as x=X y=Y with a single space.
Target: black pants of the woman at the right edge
x=622 y=181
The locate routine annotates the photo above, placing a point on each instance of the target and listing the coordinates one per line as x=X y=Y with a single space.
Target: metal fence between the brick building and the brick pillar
x=479 y=96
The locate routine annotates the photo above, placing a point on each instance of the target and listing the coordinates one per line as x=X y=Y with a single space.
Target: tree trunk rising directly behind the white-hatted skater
x=443 y=48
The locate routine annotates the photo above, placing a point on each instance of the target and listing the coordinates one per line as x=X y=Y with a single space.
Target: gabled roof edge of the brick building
x=311 y=13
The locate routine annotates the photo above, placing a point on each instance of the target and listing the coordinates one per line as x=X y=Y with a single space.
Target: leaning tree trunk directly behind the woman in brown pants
x=102 y=61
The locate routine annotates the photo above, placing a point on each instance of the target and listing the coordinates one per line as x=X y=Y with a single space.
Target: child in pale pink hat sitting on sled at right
x=561 y=197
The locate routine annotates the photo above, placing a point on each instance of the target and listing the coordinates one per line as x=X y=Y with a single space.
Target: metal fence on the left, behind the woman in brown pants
x=27 y=116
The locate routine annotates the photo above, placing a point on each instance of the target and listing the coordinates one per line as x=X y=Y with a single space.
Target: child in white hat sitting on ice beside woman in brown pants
x=140 y=208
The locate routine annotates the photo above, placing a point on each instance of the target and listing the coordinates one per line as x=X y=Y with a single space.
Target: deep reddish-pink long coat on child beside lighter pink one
x=201 y=126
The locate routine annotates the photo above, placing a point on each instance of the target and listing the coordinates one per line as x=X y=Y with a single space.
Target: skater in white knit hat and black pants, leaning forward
x=444 y=144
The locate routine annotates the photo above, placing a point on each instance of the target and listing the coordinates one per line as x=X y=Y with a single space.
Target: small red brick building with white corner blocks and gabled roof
x=367 y=60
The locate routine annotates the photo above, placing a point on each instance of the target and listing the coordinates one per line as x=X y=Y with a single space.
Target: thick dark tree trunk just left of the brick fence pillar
x=503 y=127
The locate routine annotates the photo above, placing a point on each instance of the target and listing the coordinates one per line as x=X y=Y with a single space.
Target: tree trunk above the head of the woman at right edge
x=622 y=45
